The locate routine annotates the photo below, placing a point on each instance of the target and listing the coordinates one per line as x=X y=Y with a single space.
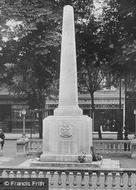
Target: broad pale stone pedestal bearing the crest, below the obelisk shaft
x=65 y=138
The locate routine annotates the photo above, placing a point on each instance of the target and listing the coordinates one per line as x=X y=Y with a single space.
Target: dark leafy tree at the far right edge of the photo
x=119 y=26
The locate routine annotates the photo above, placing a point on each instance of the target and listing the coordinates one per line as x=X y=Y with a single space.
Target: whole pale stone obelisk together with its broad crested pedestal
x=68 y=133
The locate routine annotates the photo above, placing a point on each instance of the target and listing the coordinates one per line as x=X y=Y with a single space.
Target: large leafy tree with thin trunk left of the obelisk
x=32 y=49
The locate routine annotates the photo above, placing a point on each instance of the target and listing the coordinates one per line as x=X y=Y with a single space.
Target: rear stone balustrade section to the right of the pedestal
x=112 y=146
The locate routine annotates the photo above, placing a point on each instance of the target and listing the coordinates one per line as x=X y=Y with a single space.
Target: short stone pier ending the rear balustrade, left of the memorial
x=22 y=146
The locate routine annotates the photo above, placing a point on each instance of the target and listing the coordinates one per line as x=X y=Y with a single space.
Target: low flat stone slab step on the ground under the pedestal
x=101 y=164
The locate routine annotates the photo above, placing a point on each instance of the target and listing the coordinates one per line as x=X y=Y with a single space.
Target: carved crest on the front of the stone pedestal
x=65 y=130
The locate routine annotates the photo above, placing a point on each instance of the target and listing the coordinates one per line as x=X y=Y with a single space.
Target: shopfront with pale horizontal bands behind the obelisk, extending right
x=106 y=108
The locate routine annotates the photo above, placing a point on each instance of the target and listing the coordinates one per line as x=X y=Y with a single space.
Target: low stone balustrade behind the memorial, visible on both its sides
x=100 y=146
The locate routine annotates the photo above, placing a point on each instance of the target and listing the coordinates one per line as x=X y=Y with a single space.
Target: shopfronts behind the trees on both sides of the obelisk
x=106 y=110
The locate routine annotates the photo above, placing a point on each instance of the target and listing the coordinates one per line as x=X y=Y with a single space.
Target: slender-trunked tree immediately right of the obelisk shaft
x=91 y=54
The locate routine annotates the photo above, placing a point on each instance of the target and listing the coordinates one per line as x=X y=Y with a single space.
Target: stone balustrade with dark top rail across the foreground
x=62 y=178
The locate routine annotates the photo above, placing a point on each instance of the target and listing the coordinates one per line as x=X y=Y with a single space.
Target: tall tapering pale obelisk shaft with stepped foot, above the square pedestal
x=68 y=94
